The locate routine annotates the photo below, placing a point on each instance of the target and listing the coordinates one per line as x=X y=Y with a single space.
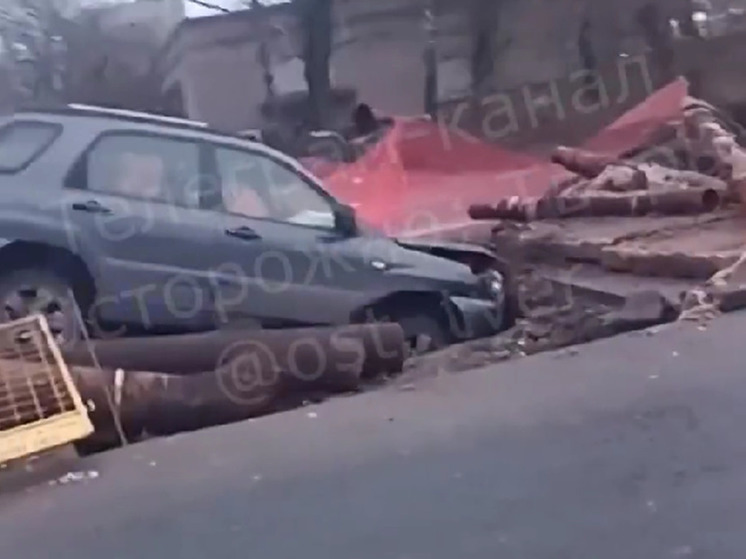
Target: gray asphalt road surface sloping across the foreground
x=632 y=448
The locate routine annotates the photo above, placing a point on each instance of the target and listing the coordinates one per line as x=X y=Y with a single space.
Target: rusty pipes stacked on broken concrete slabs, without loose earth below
x=669 y=210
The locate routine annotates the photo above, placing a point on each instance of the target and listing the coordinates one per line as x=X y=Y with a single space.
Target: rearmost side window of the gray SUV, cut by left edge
x=22 y=142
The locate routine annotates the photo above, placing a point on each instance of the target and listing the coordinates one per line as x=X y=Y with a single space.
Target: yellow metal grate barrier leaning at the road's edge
x=40 y=407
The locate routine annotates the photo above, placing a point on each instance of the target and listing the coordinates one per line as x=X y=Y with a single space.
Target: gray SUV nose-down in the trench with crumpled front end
x=152 y=224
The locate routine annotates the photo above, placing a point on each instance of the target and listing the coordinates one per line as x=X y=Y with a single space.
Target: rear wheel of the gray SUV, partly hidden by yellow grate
x=26 y=291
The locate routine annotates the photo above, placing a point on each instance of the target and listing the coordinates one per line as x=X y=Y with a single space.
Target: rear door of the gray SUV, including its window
x=134 y=198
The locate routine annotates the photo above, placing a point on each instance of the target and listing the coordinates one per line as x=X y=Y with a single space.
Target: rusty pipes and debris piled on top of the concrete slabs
x=690 y=166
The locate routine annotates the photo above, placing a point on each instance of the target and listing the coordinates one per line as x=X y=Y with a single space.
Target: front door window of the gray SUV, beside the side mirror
x=254 y=185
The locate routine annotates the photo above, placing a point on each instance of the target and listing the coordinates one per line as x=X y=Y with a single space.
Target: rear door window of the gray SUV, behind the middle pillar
x=145 y=167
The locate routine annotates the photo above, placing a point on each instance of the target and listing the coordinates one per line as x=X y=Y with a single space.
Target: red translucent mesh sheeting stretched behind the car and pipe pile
x=421 y=176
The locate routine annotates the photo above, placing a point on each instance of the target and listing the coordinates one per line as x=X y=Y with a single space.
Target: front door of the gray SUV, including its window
x=280 y=250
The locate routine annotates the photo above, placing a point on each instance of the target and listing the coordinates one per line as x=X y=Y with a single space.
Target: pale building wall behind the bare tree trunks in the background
x=219 y=66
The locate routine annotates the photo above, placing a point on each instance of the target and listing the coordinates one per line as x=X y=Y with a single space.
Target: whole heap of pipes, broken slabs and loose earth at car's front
x=655 y=235
